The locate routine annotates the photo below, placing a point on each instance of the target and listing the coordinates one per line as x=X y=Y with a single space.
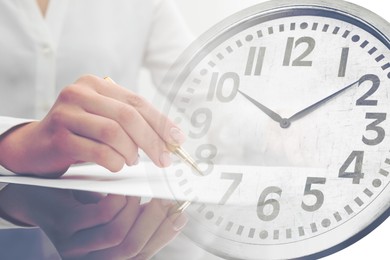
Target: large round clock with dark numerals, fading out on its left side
x=286 y=111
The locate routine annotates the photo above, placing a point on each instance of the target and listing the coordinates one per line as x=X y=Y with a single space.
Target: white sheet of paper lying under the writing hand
x=225 y=185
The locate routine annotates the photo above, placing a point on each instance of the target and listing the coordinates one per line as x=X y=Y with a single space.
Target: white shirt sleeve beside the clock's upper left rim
x=168 y=38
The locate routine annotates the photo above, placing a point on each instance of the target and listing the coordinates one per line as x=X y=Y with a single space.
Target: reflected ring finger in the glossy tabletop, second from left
x=104 y=236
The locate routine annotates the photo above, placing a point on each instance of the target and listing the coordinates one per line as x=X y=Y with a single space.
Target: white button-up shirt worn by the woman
x=40 y=56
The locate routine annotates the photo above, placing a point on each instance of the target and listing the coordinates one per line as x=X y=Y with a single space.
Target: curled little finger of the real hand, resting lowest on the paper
x=83 y=149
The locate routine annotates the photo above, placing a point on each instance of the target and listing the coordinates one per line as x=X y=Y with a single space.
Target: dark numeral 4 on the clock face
x=357 y=174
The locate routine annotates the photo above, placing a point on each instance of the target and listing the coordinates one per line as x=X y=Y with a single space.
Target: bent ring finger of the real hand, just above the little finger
x=104 y=130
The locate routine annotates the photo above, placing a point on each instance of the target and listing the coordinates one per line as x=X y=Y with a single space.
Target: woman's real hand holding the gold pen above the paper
x=93 y=120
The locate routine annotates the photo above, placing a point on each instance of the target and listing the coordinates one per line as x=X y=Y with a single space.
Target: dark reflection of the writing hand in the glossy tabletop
x=110 y=227
